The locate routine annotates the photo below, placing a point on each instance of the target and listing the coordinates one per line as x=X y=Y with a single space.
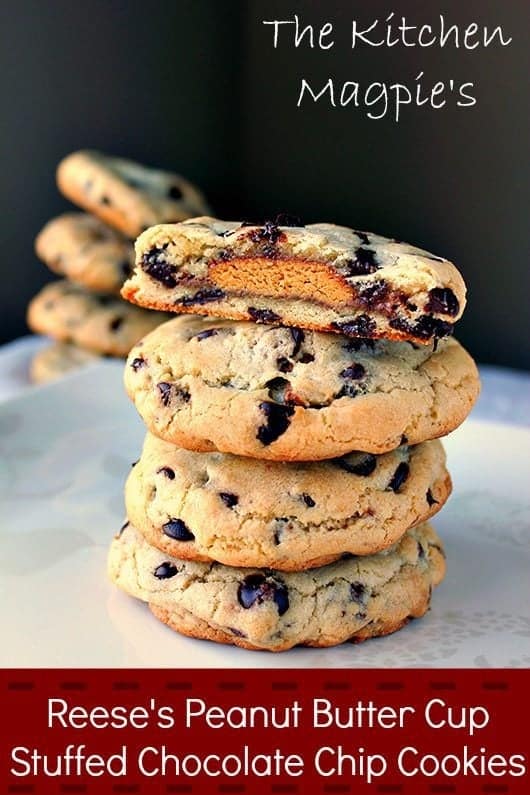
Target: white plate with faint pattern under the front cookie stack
x=65 y=450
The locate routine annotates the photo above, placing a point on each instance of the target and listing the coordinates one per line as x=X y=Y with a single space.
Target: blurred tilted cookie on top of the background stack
x=126 y=195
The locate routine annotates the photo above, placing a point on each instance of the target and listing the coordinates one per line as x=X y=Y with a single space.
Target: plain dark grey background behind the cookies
x=196 y=86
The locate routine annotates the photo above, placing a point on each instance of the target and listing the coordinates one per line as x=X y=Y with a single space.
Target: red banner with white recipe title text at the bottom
x=271 y=731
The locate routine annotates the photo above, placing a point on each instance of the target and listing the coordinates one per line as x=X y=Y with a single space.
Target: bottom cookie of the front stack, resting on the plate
x=353 y=599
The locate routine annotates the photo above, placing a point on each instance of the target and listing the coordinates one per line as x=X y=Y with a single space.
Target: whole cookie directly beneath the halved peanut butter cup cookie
x=287 y=394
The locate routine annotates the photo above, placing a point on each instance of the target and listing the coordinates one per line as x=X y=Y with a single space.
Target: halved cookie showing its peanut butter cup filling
x=321 y=277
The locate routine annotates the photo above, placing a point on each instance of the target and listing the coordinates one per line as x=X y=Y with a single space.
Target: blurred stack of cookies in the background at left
x=83 y=312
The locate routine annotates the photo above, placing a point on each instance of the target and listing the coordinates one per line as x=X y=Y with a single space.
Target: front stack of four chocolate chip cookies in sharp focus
x=292 y=459
